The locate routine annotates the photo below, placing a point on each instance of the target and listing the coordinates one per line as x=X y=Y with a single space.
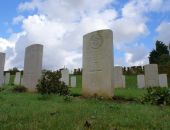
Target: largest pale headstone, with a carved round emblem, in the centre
x=97 y=77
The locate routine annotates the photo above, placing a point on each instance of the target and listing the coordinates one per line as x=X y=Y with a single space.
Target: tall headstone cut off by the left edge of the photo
x=2 y=64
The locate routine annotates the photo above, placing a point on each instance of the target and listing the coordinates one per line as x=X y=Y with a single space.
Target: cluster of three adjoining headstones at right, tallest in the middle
x=152 y=78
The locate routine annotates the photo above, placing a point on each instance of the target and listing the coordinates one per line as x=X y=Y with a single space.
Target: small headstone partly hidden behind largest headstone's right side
x=118 y=77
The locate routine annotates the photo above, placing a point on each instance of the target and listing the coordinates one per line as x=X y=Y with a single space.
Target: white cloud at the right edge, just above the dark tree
x=164 y=32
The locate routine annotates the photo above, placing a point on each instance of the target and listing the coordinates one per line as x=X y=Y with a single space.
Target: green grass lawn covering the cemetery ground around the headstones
x=31 y=111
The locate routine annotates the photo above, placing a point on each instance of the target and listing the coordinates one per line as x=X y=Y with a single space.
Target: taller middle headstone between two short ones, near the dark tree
x=151 y=75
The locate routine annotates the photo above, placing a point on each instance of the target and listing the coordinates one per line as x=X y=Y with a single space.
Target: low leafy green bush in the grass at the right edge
x=157 y=96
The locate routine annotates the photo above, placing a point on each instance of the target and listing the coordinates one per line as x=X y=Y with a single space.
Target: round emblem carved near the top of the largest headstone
x=96 y=41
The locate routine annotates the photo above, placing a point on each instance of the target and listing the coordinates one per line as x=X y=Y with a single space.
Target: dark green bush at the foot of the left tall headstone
x=50 y=84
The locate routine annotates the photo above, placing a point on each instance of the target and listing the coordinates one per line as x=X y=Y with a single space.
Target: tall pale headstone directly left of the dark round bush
x=32 y=66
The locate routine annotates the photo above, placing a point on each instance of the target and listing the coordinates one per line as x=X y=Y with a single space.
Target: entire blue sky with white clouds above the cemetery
x=59 y=25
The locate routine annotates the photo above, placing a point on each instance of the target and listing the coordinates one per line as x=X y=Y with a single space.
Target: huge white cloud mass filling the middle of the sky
x=60 y=25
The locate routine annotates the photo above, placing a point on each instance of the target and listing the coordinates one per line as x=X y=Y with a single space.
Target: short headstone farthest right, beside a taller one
x=163 y=81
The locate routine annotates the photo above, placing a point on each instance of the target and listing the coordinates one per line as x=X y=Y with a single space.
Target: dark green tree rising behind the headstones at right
x=160 y=55
